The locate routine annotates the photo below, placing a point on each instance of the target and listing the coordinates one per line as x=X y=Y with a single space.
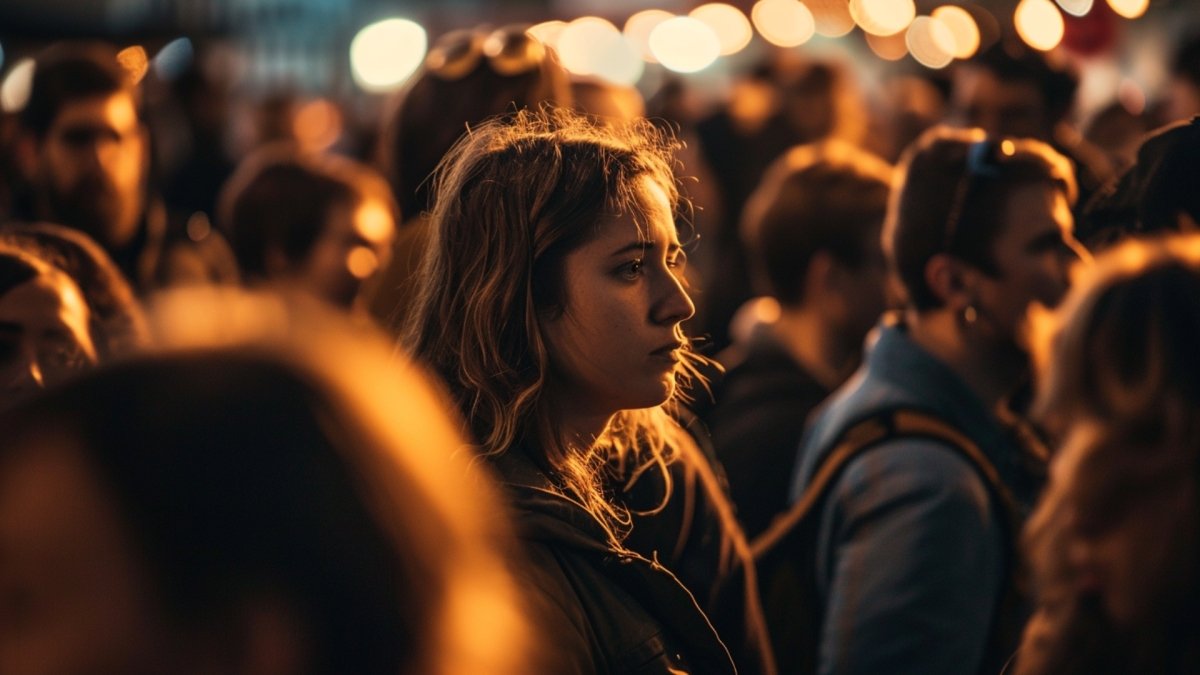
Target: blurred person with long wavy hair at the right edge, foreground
x=1114 y=543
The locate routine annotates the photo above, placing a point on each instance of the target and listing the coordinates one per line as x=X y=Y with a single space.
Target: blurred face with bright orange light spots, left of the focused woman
x=356 y=244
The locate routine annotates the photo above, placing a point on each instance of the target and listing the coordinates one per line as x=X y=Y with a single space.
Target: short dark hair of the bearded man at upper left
x=73 y=71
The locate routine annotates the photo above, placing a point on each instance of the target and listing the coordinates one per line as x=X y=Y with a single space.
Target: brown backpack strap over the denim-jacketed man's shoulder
x=871 y=433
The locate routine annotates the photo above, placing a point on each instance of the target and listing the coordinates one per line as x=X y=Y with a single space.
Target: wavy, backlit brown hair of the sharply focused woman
x=513 y=199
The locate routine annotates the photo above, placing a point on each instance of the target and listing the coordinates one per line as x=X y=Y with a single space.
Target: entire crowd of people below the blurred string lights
x=543 y=378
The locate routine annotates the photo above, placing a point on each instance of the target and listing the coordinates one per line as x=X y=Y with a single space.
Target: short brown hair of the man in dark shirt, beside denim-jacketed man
x=827 y=196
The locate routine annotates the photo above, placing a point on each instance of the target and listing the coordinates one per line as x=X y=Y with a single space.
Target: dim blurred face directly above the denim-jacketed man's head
x=1003 y=109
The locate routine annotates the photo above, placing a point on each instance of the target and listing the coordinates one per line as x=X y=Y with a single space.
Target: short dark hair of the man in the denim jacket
x=953 y=199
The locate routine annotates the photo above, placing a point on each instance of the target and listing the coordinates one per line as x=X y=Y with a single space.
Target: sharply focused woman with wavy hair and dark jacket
x=551 y=302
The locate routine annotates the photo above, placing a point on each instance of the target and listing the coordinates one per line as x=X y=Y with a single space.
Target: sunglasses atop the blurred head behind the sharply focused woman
x=509 y=52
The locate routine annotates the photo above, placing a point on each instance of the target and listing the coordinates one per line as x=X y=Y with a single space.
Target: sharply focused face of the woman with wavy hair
x=617 y=344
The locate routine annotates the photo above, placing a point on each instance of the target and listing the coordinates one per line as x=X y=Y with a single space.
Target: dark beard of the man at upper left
x=95 y=207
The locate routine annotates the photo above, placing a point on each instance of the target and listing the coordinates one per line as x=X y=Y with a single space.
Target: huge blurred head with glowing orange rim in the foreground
x=244 y=503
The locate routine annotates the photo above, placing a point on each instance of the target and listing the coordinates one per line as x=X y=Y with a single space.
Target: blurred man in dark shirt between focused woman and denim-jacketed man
x=813 y=231
